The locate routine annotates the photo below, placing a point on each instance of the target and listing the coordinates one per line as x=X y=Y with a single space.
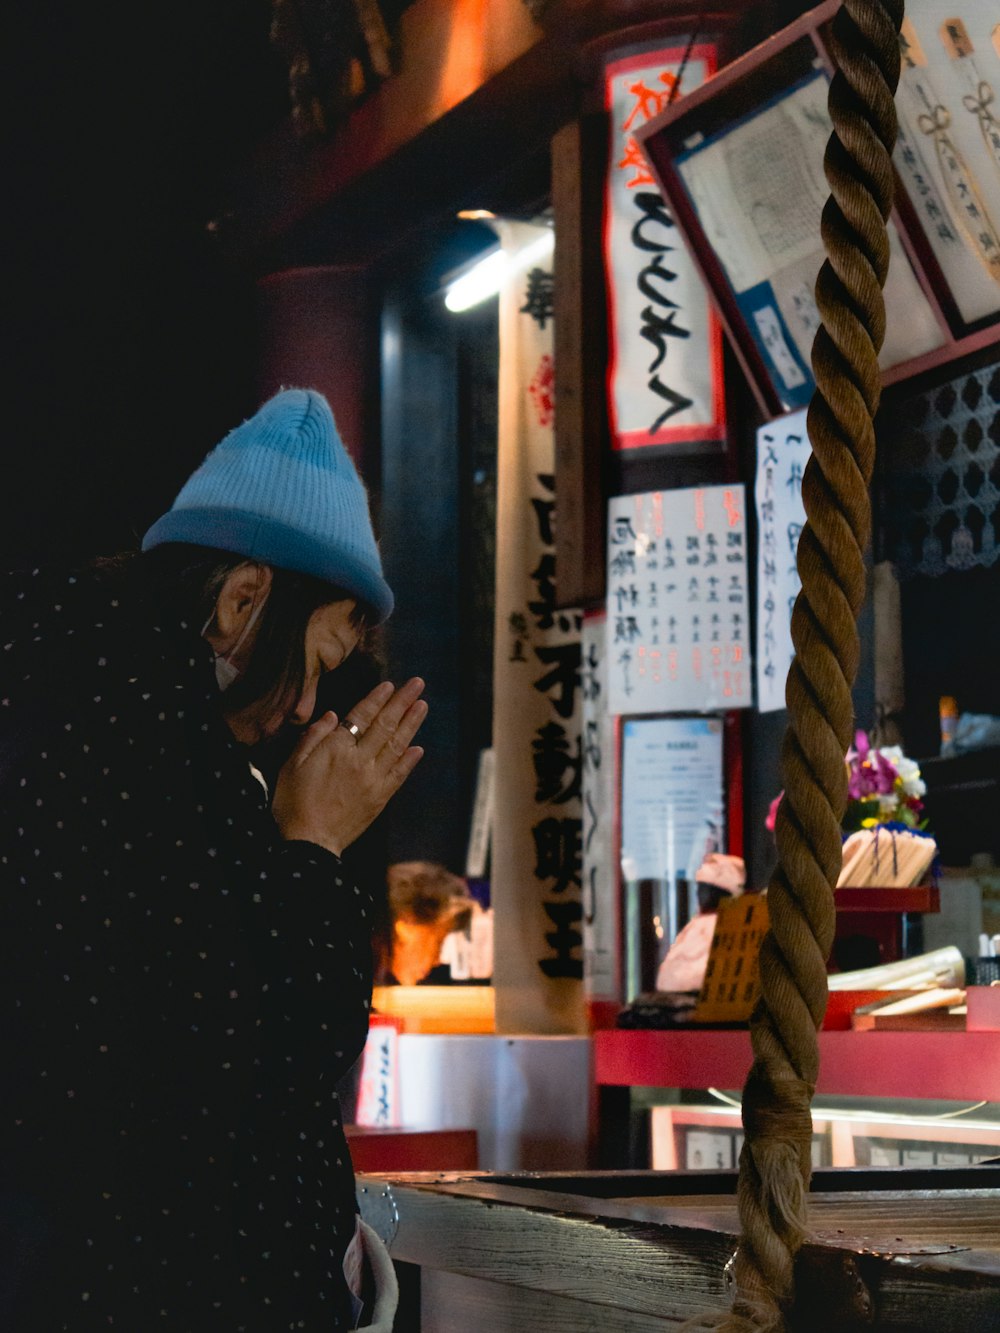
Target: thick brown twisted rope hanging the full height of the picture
x=775 y=1164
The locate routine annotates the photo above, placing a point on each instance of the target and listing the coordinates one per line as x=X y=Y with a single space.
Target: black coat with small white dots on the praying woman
x=181 y=992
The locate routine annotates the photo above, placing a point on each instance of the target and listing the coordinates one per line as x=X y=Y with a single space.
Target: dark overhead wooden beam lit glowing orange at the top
x=481 y=85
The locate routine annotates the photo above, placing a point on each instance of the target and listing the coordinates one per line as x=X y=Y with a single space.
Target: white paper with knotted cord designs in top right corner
x=949 y=146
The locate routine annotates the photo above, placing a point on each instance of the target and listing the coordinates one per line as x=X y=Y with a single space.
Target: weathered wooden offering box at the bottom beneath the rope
x=641 y=1252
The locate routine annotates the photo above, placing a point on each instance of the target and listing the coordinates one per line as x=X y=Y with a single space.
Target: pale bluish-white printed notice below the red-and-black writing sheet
x=671 y=796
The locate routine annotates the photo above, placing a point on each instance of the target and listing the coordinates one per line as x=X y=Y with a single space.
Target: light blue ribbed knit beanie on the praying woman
x=283 y=490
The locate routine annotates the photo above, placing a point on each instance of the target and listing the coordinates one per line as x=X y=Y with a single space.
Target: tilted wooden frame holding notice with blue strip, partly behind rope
x=717 y=154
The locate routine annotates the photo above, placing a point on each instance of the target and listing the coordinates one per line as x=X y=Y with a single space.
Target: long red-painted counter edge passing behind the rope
x=949 y=1066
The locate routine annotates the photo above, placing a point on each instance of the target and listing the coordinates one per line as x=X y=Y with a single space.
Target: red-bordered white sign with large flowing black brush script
x=666 y=366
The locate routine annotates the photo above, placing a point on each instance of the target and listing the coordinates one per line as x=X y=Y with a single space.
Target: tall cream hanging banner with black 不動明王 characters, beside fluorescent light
x=538 y=827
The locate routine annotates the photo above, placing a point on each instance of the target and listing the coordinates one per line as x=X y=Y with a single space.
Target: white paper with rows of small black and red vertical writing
x=678 y=626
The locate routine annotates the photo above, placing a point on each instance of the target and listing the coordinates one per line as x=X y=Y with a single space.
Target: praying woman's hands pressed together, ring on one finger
x=342 y=775
